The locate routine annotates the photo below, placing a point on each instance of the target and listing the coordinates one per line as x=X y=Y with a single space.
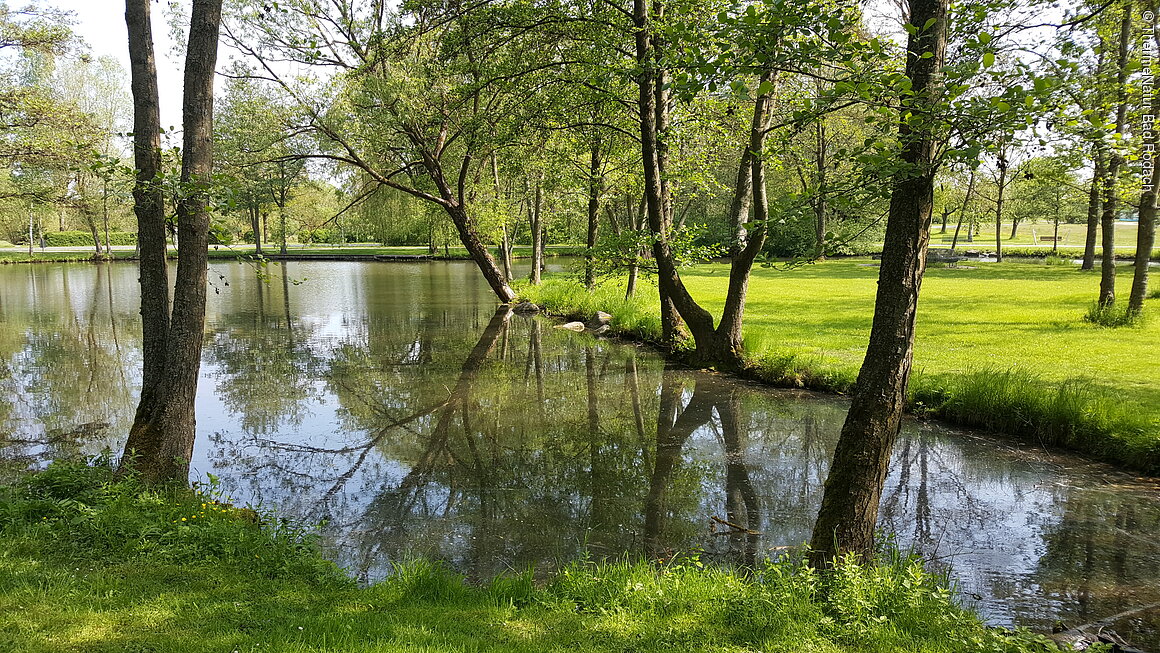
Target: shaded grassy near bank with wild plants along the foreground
x=89 y=563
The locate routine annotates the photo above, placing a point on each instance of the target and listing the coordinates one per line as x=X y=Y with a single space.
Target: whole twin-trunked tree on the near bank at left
x=162 y=440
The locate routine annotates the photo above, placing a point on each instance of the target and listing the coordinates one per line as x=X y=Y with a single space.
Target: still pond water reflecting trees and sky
x=390 y=401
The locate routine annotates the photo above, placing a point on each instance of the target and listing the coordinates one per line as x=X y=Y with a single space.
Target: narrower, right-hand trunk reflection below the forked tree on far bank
x=742 y=504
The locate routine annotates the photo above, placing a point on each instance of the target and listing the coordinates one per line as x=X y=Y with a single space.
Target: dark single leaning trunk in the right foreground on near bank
x=850 y=506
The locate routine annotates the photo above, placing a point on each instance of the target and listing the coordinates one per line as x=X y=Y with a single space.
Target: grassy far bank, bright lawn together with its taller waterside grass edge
x=1002 y=347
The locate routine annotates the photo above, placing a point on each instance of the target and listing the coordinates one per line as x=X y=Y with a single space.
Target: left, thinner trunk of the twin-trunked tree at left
x=149 y=207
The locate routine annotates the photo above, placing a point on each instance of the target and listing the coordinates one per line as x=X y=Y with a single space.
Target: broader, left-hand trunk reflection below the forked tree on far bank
x=672 y=433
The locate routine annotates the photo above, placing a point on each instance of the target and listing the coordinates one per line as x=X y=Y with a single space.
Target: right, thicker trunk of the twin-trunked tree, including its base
x=168 y=431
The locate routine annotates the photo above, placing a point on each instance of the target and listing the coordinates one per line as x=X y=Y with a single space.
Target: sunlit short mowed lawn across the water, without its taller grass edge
x=994 y=317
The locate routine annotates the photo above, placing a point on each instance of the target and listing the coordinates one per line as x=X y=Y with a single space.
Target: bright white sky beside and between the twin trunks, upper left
x=101 y=24
